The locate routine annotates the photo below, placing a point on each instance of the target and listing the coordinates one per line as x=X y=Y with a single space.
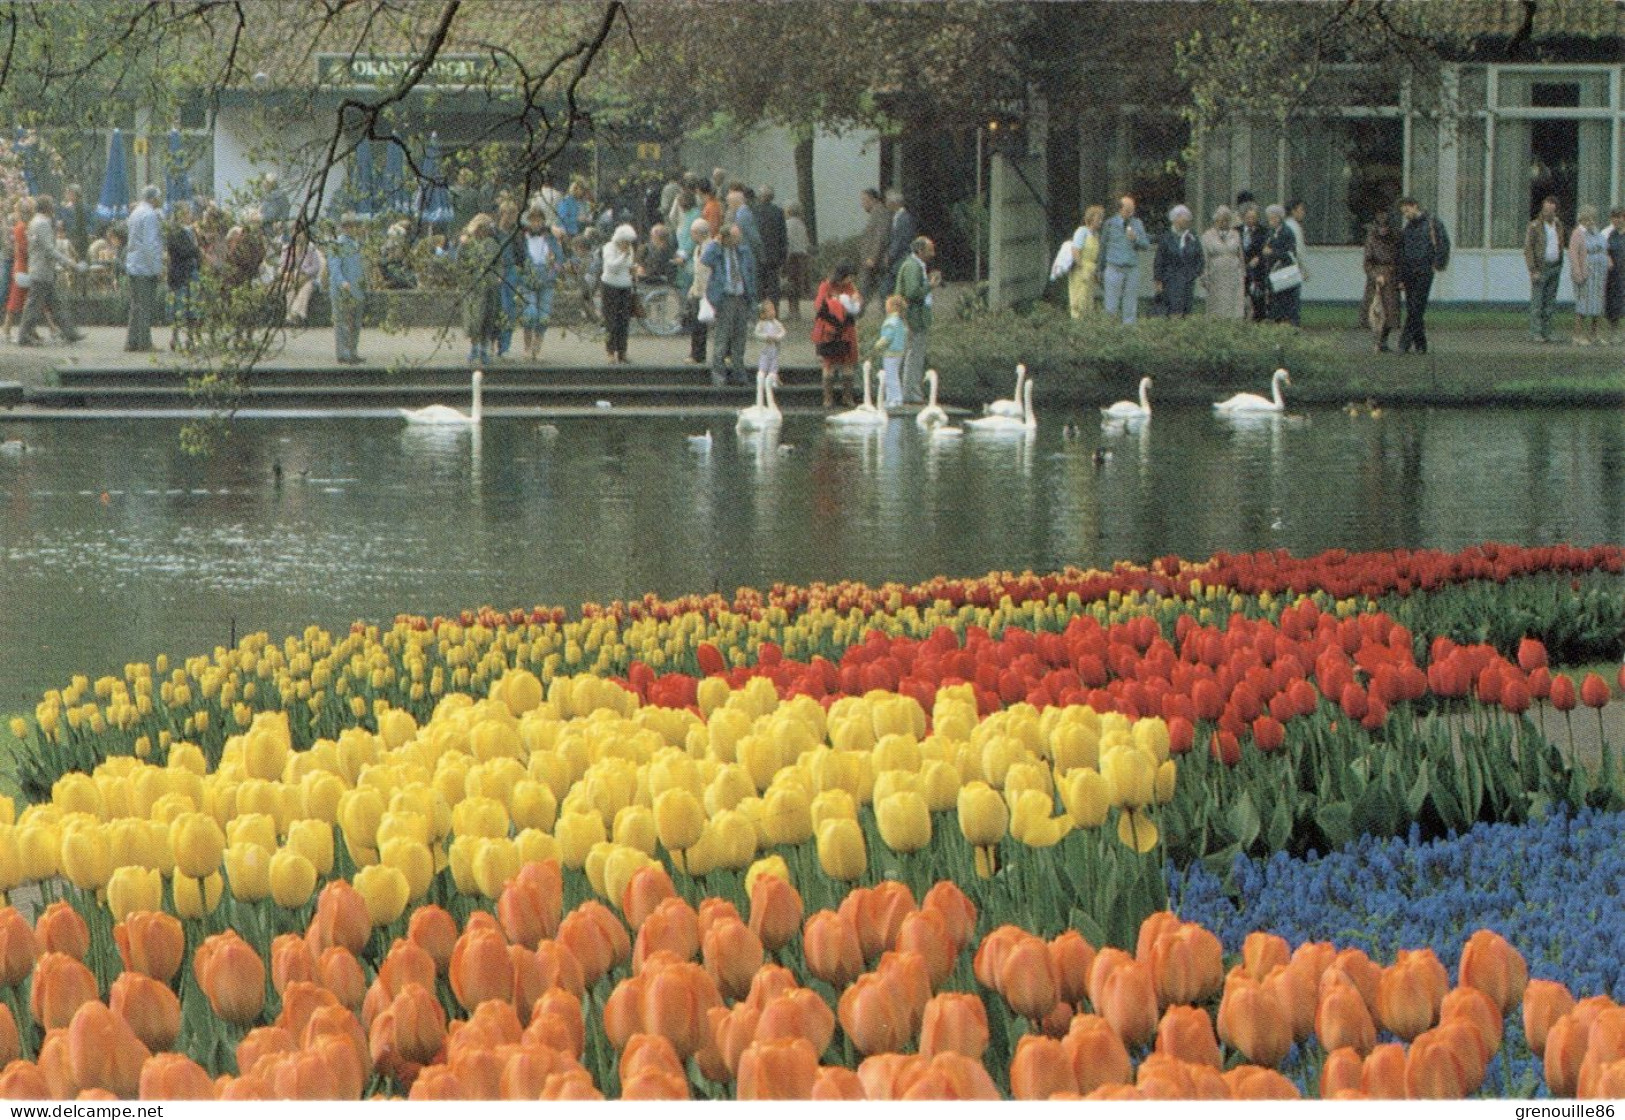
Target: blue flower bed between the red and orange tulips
x=1554 y=888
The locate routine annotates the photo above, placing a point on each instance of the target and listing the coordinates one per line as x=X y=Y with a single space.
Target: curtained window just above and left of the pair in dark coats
x=1346 y=170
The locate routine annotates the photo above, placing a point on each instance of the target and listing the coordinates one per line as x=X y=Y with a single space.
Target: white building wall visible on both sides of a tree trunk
x=843 y=167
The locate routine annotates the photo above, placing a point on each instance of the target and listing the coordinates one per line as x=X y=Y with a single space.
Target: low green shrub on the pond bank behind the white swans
x=1096 y=358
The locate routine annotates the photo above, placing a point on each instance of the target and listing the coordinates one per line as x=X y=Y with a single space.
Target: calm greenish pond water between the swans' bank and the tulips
x=116 y=545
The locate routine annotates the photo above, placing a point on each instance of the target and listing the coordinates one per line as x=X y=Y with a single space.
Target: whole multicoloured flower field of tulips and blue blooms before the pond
x=1249 y=828
